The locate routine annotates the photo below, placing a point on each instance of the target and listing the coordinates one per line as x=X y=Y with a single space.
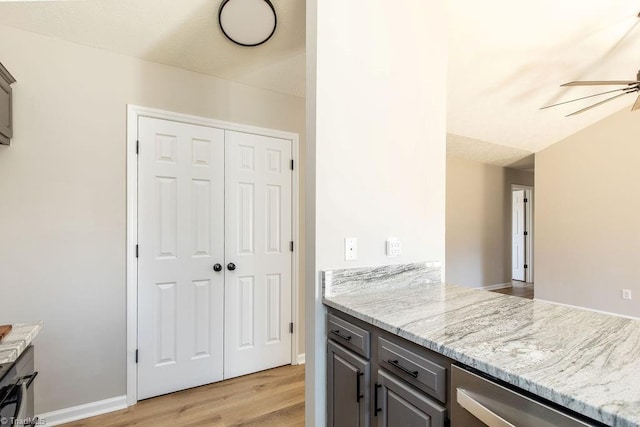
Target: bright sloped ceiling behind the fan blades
x=508 y=58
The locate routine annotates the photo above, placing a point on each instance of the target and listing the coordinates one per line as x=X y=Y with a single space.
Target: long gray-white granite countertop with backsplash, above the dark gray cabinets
x=586 y=361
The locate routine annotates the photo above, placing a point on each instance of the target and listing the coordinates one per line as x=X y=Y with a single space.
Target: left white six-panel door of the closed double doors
x=181 y=235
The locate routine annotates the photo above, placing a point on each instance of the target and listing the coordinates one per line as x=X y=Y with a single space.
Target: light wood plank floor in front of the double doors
x=269 y=398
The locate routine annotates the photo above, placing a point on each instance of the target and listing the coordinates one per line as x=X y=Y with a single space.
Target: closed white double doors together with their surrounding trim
x=213 y=276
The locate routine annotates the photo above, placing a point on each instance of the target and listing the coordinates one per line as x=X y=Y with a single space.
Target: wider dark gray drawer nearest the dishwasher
x=414 y=368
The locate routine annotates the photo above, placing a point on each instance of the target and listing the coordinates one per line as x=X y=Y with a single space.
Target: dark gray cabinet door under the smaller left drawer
x=347 y=388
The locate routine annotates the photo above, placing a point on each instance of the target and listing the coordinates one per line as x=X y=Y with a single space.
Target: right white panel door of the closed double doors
x=258 y=234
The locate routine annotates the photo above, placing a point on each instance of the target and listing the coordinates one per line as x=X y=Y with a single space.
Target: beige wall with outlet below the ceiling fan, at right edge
x=587 y=234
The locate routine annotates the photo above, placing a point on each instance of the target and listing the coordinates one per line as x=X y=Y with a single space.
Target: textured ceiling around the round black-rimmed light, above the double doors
x=181 y=33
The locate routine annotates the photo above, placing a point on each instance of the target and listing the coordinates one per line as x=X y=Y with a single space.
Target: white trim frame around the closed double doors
x=133 y=113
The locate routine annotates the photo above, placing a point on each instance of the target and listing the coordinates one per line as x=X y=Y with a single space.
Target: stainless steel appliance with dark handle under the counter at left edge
x=16 y=391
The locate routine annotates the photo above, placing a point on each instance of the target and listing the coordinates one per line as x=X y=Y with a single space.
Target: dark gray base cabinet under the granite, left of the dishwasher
x=375 y=378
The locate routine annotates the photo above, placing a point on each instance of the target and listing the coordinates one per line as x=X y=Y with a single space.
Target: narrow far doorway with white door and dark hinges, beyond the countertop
x=521 y=234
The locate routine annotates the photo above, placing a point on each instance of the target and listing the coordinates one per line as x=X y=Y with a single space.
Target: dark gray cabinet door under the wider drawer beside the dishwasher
x=399 y=404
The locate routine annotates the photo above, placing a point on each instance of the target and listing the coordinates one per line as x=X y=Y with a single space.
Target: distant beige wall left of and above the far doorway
x=478 y=237
